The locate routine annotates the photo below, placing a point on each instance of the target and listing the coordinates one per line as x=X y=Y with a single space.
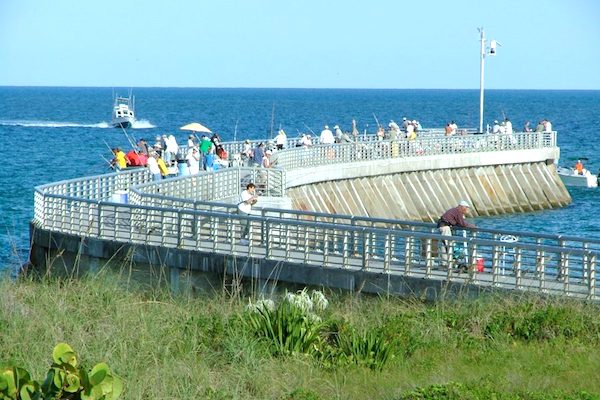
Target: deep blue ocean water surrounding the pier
x=51 y=134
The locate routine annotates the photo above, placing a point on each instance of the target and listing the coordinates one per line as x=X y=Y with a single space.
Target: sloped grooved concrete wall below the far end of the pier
x=424 y=195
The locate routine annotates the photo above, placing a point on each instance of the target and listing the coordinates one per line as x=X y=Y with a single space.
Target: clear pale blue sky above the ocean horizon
x=550 y=44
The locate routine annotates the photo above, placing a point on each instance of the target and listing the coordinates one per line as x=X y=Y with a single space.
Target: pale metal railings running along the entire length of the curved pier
x=188 y=213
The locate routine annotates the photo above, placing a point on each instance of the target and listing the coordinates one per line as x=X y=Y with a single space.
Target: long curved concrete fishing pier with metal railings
x=355 y=216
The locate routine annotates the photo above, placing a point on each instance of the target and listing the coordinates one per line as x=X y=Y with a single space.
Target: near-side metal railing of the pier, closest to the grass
x=517 y=265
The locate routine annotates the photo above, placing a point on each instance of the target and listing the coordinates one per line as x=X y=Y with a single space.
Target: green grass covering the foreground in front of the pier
x=168 y=347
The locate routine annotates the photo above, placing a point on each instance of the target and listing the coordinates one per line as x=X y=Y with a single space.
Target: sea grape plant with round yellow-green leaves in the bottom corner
x=64 y=380
